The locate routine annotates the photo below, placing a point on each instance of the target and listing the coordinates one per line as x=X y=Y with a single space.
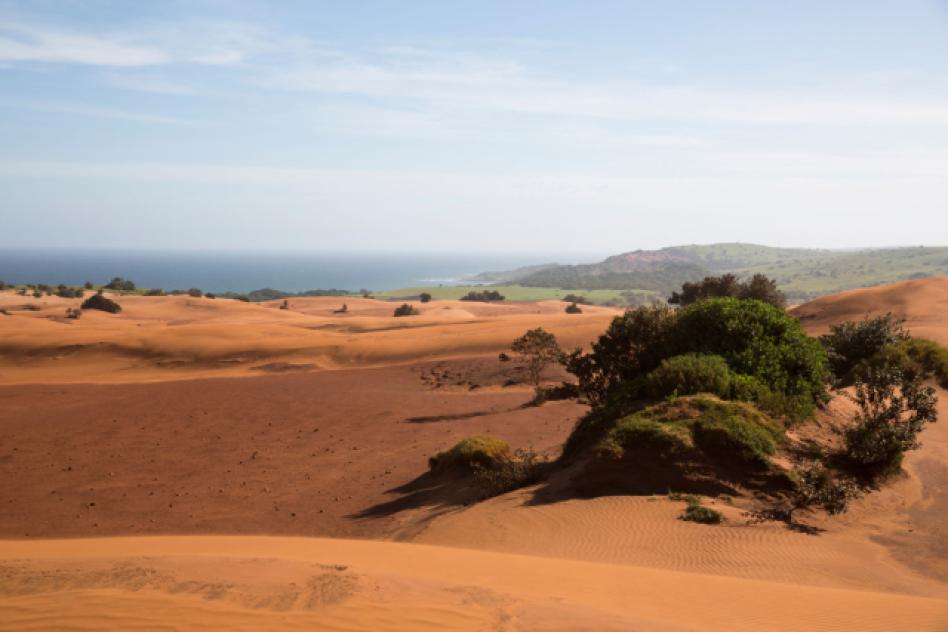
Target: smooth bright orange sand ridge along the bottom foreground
x=279 y=583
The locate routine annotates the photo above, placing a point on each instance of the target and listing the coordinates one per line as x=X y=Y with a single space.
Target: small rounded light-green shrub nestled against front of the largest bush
x=689 y=374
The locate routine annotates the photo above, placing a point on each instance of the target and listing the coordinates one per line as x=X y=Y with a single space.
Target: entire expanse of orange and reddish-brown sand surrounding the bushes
x=310 y=423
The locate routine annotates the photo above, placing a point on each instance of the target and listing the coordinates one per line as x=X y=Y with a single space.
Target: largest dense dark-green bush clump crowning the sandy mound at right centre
x=782 y=367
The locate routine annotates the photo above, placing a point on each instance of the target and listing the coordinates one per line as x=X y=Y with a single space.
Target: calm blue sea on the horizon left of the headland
x=236 y=272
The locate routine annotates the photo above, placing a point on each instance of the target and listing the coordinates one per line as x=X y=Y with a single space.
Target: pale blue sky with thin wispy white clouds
x=448 y=127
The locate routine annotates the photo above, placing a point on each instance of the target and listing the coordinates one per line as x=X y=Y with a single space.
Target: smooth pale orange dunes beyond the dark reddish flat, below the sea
x=180 y=337
